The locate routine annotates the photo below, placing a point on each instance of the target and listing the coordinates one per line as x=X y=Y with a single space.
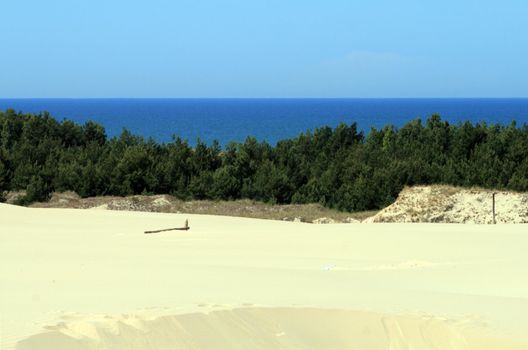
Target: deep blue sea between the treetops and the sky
x=267 y=119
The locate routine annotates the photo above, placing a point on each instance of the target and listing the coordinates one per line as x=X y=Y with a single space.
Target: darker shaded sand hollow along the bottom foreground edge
x=265 y=328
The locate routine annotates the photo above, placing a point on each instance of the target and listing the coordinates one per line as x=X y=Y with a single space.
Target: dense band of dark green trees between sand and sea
x=339 y=168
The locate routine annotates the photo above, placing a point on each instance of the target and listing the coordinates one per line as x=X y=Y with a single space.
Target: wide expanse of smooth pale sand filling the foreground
x=81 y=279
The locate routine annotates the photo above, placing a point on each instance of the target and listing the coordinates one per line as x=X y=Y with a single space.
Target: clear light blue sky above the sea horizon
x=259 y=48
